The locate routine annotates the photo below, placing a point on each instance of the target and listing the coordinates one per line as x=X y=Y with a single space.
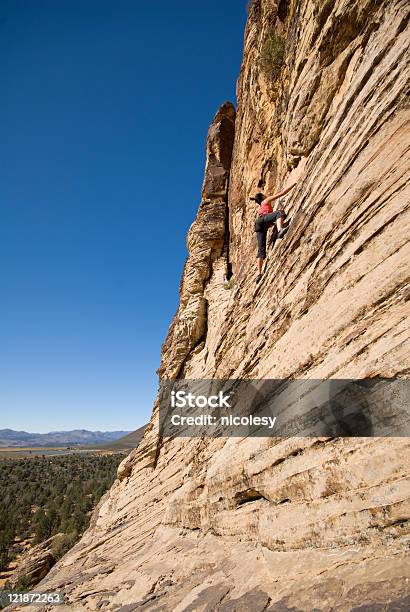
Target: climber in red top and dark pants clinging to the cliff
x=265 y=219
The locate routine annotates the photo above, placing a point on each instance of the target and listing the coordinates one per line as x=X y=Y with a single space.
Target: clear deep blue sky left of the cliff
x=105 y=107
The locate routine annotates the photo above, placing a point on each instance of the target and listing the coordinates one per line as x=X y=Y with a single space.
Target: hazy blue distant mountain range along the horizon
x=10 y=438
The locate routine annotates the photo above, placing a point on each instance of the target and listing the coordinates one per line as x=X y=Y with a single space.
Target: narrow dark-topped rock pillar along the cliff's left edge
x=206 y=241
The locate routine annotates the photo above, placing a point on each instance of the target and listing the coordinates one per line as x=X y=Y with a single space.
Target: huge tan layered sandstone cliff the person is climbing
x=257 y=523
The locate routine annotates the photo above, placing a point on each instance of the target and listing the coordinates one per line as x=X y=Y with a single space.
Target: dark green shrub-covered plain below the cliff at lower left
x=43 y=496
